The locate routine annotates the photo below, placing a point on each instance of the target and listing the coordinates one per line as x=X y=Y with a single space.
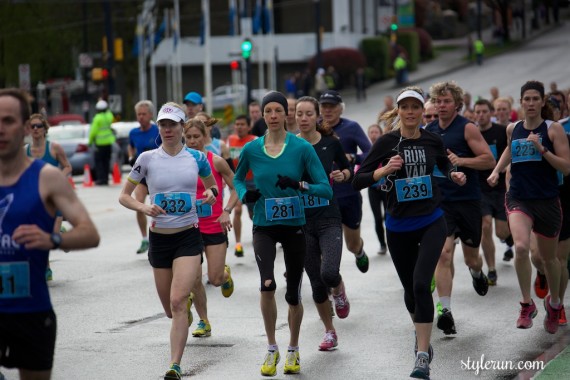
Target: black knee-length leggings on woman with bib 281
x=292 y=238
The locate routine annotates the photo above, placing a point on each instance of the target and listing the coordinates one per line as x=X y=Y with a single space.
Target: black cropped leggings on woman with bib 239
x=415 y=255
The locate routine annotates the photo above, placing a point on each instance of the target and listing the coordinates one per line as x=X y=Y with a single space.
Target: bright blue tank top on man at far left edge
x=22 y=271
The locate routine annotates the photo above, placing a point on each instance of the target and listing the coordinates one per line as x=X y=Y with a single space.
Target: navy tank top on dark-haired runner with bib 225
x=534 y=178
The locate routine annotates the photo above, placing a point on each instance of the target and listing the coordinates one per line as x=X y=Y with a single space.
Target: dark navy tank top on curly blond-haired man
x=454 y=139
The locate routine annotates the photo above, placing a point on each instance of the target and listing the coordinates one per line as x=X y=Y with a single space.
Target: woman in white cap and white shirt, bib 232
x=172 y=172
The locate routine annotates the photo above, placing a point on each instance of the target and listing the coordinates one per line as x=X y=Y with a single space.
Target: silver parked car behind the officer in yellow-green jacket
x=74 y=139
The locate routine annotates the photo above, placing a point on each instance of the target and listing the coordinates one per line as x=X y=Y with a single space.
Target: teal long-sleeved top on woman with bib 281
x=296 y=158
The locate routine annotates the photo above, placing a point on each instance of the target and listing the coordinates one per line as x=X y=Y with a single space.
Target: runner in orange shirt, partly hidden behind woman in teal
x=236 y=141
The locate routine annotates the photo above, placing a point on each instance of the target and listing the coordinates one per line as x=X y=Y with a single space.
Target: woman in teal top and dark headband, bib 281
x=278 y=160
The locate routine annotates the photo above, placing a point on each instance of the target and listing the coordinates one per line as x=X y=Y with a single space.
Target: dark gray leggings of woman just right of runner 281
x=322 y=259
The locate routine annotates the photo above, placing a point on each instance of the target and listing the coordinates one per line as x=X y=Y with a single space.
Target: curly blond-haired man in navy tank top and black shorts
x=468 y=151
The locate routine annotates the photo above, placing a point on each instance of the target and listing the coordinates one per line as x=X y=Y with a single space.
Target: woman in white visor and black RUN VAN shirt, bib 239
x=415 y=223
